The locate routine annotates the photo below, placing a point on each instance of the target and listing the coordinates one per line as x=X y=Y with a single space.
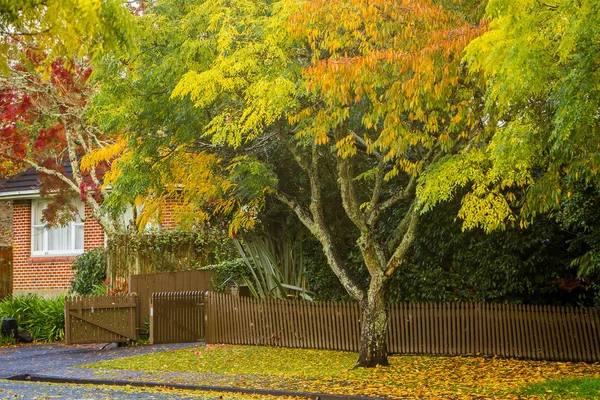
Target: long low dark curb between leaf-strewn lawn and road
x=227 y=389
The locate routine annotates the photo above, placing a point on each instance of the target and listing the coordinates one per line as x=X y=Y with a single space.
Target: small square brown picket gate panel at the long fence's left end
x=176 y=317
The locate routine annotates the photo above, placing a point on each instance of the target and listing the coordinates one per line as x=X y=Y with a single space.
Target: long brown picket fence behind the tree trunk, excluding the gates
x=532 y=332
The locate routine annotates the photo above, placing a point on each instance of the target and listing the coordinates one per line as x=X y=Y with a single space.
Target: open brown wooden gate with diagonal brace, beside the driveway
x=101 y=319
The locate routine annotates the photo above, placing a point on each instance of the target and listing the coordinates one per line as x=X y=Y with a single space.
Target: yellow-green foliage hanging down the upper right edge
x=541 y=63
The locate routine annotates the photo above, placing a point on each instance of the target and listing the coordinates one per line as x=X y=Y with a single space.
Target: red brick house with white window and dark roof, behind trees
x=42 y=256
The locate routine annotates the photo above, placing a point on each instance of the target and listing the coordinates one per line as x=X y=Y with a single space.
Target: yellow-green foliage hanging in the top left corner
x=69 y=29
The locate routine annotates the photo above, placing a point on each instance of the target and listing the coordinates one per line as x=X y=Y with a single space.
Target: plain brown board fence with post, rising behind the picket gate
x=183 y=281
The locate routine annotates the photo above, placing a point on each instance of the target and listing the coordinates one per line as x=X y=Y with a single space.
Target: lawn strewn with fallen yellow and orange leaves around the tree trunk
x=408 y=376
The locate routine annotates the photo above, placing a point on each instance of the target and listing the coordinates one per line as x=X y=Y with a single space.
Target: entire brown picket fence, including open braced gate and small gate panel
x=535 y=332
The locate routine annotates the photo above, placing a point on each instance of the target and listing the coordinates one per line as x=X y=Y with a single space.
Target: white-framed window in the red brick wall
x=62 y=240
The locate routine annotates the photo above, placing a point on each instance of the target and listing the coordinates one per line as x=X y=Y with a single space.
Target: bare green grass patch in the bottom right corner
x=581 y=388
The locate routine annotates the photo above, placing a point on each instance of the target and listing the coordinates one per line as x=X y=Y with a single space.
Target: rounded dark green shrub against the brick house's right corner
x=90 y=271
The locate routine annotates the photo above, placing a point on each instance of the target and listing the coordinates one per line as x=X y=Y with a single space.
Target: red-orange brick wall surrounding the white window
x=38 y=274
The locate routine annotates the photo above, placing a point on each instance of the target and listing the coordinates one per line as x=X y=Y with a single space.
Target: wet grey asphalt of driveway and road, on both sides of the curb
x=44 y=358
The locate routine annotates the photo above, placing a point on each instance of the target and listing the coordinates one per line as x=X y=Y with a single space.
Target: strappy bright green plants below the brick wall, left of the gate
x=42 y=317
